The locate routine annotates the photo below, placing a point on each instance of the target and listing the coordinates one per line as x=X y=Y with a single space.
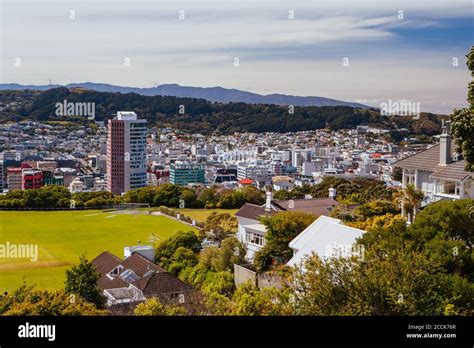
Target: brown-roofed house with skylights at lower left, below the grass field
x=136 y=278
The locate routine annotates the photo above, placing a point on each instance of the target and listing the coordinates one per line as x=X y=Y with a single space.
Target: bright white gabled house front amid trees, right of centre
x=325 y=237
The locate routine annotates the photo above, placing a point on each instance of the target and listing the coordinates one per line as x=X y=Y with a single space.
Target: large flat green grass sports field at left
x=63 y=236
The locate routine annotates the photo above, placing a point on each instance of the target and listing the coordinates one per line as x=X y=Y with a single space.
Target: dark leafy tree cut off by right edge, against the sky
x=462 y=121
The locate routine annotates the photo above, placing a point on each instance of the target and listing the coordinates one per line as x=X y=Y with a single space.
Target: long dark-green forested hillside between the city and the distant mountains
x=198 y=115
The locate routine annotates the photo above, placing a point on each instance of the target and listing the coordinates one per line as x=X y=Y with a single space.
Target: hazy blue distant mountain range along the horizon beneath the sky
x=213 y=94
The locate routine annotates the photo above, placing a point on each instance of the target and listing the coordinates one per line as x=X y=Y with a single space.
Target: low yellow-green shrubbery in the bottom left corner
x=28 y=301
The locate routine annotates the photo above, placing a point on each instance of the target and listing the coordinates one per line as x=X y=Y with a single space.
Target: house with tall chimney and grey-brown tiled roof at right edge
x=437 y=171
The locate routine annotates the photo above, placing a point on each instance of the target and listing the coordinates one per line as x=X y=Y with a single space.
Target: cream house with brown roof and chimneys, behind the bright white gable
x=252 y=233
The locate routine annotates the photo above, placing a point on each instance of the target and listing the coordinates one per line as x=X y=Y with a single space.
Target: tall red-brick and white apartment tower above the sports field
x=126 y=153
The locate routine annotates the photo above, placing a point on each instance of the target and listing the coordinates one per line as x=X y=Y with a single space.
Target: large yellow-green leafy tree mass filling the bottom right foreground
x=395 y=282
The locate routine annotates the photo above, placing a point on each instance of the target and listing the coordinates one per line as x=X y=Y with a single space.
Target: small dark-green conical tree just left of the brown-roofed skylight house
x=82 y=280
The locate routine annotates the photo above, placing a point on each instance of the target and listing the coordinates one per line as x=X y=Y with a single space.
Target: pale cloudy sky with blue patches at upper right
x=368 y=51
